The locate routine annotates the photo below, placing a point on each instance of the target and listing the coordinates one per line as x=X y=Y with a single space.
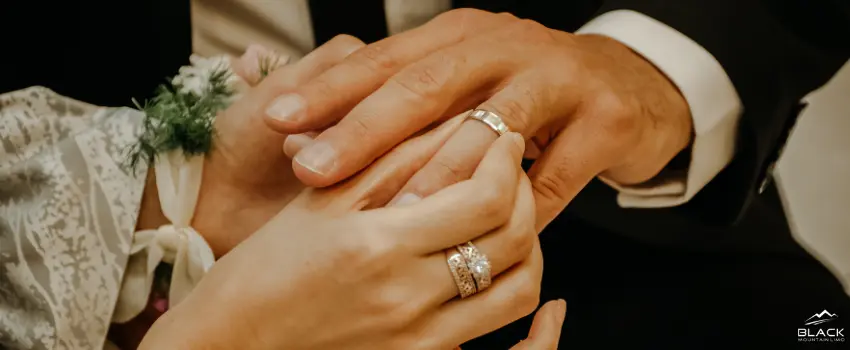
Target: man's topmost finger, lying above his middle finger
x=331 y=95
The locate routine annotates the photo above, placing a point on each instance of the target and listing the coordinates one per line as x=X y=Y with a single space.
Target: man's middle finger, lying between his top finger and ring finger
x=416 y=97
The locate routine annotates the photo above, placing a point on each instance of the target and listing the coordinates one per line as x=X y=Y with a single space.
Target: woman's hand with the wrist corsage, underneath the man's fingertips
x=246 y=179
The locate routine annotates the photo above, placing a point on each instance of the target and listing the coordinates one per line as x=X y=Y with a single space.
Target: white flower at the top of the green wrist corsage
x=195 y=79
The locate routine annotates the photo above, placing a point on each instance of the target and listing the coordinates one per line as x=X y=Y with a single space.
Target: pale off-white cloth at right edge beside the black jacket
x=813 y=175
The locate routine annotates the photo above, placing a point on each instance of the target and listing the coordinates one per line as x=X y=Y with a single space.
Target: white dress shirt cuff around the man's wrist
x=714 y=104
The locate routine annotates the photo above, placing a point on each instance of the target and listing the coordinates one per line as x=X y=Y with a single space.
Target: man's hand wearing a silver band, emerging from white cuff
x=589 y=103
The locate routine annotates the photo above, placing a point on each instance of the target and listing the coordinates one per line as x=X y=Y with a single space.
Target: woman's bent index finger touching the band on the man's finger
x=463 y=211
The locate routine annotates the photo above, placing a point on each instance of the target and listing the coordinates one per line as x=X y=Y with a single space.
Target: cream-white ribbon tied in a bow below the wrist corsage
x=178 y=181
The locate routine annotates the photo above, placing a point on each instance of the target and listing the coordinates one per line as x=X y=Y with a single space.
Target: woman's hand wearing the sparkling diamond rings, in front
x=325 y=273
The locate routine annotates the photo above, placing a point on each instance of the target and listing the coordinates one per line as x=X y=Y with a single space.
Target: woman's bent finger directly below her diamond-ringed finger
x=513 y=295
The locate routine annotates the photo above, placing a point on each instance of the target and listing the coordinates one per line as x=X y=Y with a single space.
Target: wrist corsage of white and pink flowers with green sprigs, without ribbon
x=181 y=115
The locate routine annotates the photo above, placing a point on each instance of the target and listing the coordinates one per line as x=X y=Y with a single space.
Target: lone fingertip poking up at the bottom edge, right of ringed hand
x=546 y=328
